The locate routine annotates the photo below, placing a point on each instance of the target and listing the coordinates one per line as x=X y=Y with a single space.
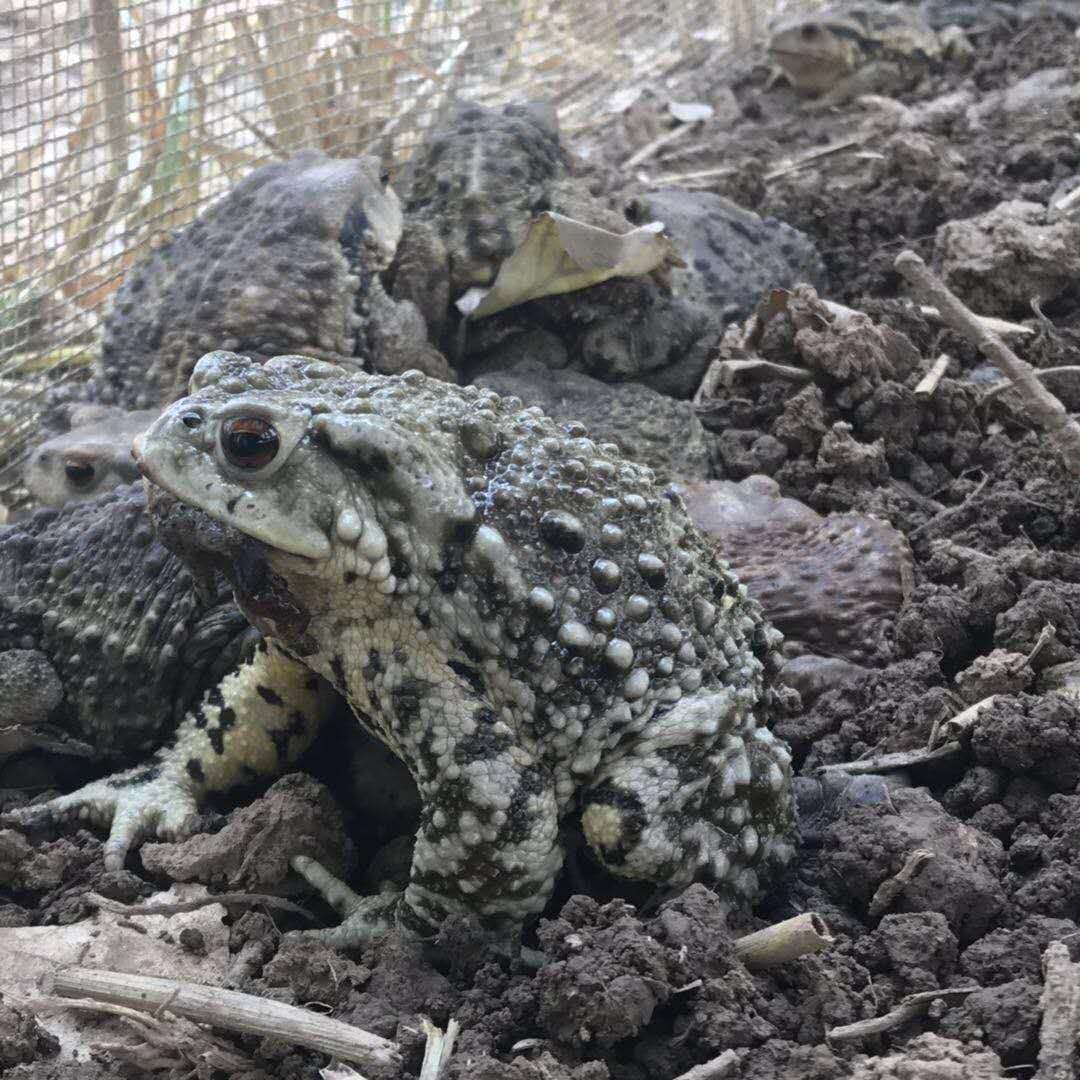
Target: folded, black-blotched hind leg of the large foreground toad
x=687 y=803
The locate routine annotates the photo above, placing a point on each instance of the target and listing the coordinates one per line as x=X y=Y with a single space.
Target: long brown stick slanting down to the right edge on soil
x=1043 y=407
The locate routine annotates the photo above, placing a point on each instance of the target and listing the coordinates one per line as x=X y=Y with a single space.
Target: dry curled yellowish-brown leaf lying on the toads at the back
x=562 y=255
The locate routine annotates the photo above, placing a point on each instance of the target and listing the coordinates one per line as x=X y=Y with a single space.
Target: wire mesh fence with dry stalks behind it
x=120 y=120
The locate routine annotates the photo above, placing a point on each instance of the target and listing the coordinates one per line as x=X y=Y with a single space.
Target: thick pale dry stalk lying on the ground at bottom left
x=229 y=1009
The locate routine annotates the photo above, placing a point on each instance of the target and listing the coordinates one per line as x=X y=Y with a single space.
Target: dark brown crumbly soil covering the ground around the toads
x=637 y=988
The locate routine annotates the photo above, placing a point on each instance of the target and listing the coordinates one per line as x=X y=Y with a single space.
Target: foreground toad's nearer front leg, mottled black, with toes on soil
x=489 y=838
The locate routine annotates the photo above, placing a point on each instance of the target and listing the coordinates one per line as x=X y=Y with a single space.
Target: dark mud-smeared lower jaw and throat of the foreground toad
x=208 y=548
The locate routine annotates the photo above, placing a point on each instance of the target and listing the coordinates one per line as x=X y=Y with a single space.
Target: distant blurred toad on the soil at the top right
x=855 y=49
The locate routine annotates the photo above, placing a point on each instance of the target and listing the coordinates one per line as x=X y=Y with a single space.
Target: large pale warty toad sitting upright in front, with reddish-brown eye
x=522 y=615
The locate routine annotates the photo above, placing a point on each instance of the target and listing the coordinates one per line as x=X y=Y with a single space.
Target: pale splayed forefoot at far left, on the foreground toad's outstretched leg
x=132 y=806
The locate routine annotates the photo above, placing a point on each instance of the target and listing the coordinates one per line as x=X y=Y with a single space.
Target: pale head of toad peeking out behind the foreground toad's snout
x=86 y=462
